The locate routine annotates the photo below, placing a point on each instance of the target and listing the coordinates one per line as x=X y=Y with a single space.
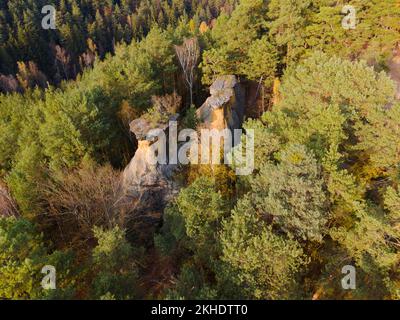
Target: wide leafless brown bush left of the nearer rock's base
x=78 y=200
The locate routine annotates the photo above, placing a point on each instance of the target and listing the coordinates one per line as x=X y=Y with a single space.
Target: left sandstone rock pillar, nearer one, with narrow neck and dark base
x=147 y=185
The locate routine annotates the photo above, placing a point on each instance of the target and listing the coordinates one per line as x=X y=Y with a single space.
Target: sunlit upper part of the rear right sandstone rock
x=226 y=106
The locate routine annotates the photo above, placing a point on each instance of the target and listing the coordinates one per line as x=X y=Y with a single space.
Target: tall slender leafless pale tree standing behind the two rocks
x=188 y=54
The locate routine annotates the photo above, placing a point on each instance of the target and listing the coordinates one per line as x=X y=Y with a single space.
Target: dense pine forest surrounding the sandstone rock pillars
x=323 y=100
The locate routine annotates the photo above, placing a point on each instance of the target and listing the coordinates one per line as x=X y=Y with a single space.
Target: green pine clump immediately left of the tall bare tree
x=139 y=70
